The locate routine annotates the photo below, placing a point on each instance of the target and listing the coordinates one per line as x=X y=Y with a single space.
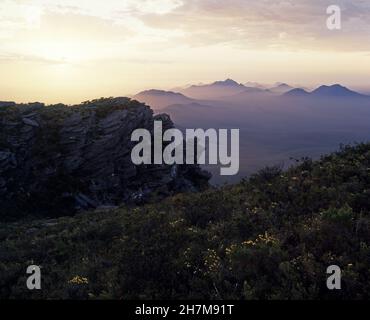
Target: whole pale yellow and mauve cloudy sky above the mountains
x=74 y=50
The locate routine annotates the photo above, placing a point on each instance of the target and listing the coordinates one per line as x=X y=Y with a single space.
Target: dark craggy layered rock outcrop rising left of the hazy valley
x=56 y=159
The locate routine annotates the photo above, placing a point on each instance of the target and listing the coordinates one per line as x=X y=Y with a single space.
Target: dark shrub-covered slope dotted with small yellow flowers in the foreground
x=269 y=237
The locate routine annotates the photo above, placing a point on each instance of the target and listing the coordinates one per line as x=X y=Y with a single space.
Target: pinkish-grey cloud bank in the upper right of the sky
x=260 y=24
